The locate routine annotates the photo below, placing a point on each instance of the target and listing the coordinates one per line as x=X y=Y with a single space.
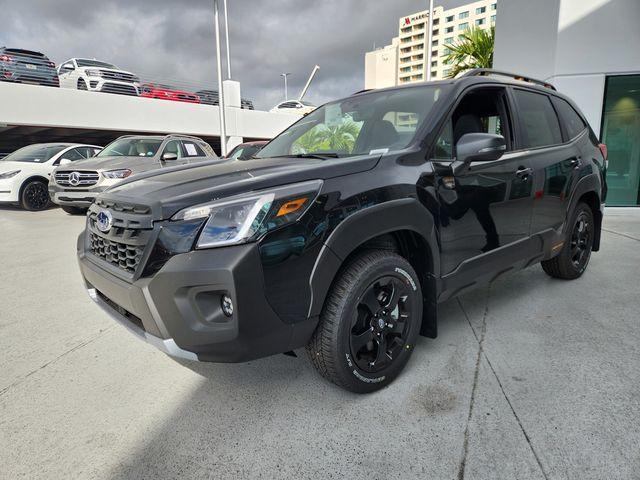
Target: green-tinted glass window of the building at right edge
x=621 y=134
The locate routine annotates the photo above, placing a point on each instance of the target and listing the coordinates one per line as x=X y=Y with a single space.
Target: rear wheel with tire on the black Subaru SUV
x=574 y=257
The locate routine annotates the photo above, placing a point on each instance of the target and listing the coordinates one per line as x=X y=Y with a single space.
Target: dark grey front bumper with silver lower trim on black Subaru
x=178 y=309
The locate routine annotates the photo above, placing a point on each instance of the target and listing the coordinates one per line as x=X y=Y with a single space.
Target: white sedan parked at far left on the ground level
x=24 y=174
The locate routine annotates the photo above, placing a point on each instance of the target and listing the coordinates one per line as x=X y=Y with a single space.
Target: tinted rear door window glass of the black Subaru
x=539 y=126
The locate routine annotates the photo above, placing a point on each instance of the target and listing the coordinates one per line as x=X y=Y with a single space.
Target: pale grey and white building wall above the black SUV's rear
x=573 y=44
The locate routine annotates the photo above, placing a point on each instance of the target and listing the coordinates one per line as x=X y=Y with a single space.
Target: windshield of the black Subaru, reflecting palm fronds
x=374 y=122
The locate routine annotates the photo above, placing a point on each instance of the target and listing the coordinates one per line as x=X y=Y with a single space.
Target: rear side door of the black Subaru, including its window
x=553 y=159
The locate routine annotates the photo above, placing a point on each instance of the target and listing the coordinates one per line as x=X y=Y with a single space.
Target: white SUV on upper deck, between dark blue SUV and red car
x=97 y=76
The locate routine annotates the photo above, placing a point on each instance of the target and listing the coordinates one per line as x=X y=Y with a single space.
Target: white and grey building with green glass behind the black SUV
x=590 y=50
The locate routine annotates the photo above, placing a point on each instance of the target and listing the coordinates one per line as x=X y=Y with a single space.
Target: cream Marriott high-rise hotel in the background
x=407 y=54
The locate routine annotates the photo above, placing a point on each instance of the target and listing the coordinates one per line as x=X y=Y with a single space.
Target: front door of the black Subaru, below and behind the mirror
x=488 y=206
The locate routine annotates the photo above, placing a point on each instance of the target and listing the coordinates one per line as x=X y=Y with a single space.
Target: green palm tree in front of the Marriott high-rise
x=474 y=50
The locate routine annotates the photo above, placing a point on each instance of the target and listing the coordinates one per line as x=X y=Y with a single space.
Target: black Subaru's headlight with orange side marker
x=243 y=218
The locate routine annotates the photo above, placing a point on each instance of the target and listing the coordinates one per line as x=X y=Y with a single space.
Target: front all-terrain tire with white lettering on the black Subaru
x=330 y=348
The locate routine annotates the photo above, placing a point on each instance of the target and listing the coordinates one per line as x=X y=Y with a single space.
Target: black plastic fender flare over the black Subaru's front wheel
x=406 y=214
